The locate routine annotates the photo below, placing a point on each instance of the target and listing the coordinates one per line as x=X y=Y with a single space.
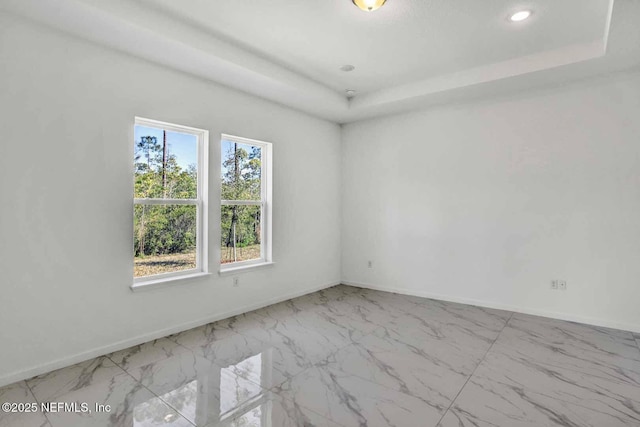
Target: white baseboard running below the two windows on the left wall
x=121 y=345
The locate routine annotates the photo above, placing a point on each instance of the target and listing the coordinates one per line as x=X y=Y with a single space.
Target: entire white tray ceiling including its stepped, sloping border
x=409 y=54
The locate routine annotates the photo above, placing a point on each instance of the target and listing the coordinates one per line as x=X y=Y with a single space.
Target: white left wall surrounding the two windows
x=66 y=127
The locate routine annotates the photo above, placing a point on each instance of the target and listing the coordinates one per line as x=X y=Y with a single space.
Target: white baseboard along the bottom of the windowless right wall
x=489 y=304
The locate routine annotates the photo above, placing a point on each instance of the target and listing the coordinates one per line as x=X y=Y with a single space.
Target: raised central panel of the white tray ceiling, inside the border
x=404 y=41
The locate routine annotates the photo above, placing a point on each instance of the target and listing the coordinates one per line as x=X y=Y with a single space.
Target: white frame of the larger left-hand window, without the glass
x=201 y=203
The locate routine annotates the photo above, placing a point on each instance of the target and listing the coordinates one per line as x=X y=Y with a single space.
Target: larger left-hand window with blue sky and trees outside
x=169 y=221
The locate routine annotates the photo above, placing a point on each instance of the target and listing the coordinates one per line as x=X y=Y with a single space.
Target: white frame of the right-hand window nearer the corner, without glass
x=265 y=203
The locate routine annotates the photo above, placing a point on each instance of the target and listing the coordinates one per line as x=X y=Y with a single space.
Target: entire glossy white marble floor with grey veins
x=347 y=357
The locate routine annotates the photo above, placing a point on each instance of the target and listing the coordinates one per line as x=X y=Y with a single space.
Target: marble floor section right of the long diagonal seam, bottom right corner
x=544 y=372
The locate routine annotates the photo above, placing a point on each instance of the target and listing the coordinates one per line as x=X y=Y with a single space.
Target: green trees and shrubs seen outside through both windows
x=171 y=229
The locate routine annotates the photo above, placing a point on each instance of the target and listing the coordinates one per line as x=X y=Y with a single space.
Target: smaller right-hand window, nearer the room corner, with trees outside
x=246 y=202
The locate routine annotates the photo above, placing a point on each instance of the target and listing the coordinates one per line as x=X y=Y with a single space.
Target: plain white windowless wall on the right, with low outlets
x=487 y=202
